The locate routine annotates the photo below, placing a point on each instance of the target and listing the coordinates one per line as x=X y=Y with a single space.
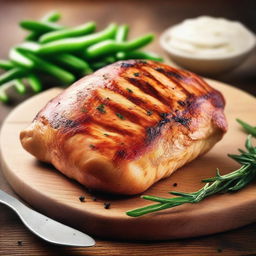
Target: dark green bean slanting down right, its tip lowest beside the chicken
x=47 y=67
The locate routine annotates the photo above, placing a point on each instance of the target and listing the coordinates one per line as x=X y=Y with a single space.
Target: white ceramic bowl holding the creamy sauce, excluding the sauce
x=203 y=65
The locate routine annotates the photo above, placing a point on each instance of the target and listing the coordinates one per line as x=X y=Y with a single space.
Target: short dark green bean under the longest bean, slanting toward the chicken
x=73 y=62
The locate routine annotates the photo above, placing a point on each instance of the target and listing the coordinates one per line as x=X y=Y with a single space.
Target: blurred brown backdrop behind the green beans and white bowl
x=142 y=16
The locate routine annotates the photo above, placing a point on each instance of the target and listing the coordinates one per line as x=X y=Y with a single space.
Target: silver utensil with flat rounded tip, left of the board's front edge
x=44 y=227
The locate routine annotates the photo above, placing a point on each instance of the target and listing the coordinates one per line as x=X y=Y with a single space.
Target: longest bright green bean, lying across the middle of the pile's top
x=77 y=43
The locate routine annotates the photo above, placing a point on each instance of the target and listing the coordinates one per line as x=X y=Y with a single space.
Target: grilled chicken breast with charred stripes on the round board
x=127 y=126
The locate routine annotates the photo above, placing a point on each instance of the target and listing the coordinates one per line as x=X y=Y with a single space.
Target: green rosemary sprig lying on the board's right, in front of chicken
x=230 y=182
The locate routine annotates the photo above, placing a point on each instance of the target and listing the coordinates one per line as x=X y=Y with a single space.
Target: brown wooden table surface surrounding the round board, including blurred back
x=143 y=16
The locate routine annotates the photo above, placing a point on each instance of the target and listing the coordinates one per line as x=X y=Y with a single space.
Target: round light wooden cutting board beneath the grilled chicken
x=51 y=193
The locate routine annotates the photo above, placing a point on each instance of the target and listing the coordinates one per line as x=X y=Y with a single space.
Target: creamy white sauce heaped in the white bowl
x=208 y=37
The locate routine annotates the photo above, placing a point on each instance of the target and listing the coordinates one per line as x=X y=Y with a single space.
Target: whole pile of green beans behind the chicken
x=61 y=54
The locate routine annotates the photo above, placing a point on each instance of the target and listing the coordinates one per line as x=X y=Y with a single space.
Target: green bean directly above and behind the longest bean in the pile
x=69 y=32
